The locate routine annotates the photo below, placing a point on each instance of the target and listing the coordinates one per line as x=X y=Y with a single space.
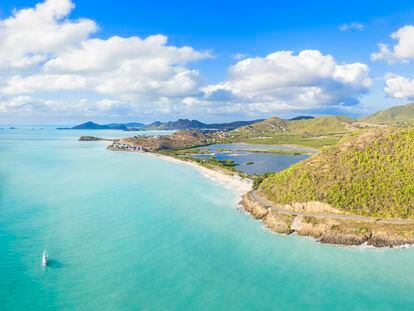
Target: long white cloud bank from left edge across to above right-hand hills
x=50 y=63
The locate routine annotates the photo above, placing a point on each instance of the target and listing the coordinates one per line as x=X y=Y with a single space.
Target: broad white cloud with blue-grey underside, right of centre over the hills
x=283 y=80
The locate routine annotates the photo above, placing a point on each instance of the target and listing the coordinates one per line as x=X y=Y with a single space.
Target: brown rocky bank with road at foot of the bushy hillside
x=332 y=230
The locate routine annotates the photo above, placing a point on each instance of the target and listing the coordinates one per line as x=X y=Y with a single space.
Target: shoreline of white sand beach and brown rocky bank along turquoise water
x=328 y=230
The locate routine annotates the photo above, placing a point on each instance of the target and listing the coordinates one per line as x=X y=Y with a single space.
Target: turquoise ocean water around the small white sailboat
x=130 y=231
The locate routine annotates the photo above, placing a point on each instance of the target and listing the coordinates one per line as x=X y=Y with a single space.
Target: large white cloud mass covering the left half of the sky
x=42 y=51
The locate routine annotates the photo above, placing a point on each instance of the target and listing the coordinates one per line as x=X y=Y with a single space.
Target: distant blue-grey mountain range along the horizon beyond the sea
x=180 y=124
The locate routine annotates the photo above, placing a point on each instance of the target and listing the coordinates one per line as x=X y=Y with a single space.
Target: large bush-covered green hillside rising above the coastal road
x=370 y=173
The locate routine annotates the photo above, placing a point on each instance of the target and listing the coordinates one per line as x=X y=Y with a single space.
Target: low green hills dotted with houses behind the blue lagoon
x=304 y=131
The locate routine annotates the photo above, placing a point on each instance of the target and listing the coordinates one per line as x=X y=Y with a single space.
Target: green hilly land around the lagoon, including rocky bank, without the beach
x=358 y=189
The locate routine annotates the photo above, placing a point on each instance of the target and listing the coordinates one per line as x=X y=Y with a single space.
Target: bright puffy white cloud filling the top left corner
x=30 y=36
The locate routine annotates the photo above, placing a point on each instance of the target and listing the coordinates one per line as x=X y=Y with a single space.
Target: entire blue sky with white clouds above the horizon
x=217 y=31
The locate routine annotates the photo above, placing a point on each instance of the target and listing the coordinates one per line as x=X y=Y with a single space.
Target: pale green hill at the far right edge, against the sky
x=393 y=115
